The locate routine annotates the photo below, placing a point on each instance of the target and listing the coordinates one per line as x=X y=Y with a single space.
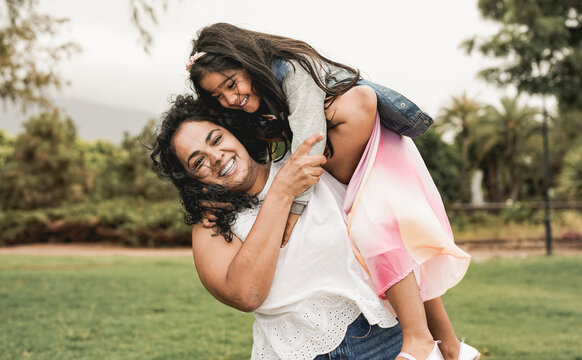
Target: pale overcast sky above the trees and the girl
x=411 y=46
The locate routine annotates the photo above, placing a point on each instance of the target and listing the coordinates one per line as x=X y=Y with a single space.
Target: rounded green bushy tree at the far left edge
x=47 y=167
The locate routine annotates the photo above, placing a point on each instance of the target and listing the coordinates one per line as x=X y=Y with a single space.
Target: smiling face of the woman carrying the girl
x=212 y=155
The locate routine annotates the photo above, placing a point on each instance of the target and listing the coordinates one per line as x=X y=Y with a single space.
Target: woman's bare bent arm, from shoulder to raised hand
x=240 y=274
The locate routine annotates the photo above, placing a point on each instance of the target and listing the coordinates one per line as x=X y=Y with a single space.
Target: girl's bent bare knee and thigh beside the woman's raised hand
x=351 y=116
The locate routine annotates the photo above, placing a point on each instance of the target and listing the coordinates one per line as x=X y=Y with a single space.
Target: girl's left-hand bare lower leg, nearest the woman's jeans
x=404 y=296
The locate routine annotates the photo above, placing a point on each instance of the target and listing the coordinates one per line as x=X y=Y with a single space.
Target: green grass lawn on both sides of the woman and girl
x=155 y=308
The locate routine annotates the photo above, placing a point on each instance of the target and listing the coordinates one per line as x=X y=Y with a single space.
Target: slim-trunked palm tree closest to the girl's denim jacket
x=460 y=117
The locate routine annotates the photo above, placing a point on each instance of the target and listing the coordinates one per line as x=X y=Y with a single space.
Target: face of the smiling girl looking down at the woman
x=232 y=88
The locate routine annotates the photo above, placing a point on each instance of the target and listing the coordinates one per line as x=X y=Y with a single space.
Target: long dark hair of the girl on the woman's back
x=230 y=47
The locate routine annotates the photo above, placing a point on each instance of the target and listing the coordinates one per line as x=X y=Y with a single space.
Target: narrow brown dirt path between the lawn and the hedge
x=478 y=253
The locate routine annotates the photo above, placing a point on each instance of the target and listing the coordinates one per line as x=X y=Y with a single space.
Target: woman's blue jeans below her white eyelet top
x=367 y=342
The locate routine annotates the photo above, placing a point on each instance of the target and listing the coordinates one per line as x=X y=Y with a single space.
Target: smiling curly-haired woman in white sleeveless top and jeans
x=309 y=298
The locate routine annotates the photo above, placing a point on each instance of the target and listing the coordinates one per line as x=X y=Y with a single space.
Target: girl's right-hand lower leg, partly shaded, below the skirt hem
x=441 y=328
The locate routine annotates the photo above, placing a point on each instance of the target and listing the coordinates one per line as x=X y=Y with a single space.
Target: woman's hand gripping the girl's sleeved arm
x=301 y=170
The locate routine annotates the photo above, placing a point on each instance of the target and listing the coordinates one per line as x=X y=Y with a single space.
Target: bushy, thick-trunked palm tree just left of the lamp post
x=503 y=144
